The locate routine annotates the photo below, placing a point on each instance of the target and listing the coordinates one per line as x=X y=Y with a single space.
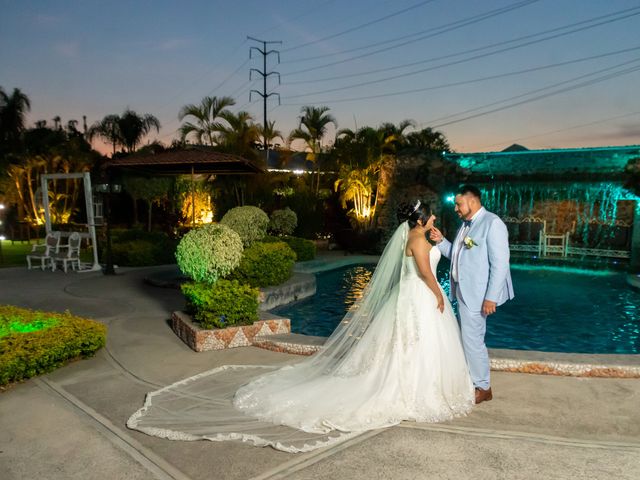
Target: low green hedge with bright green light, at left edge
x=33 y=342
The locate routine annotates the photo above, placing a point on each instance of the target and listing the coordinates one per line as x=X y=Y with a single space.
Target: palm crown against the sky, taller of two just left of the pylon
x=206 y=115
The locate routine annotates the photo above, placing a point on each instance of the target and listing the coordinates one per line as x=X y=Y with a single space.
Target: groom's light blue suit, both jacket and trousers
x=483 y=274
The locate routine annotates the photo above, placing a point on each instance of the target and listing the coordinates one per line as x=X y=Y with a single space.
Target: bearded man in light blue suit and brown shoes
x=479 y=276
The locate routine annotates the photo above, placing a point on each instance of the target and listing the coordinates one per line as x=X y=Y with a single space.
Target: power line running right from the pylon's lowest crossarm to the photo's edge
x=474 y=80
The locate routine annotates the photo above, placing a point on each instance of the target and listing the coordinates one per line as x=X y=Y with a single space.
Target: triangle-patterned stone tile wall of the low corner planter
x=200 y=339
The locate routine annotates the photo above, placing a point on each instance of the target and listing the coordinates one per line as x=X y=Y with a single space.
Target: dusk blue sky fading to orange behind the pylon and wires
x=579 y=89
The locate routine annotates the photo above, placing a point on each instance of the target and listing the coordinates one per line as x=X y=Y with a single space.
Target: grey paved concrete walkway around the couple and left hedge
x=70 y=424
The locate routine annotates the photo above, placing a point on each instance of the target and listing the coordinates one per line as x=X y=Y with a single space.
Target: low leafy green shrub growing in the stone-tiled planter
x=224 y=304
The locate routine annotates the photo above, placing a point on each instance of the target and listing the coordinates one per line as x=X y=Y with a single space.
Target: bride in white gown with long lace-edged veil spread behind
x=396 y=355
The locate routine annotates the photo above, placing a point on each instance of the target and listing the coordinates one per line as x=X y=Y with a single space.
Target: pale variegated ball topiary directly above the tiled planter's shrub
x=209 y=252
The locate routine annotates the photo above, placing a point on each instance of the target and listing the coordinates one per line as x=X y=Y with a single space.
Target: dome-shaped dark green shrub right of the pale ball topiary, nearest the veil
x=265 y=264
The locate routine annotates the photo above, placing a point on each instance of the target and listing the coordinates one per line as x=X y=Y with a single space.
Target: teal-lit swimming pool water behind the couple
x=556 y=309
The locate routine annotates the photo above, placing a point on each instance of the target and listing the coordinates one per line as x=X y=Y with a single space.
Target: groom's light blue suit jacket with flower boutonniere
x=483 y=270
